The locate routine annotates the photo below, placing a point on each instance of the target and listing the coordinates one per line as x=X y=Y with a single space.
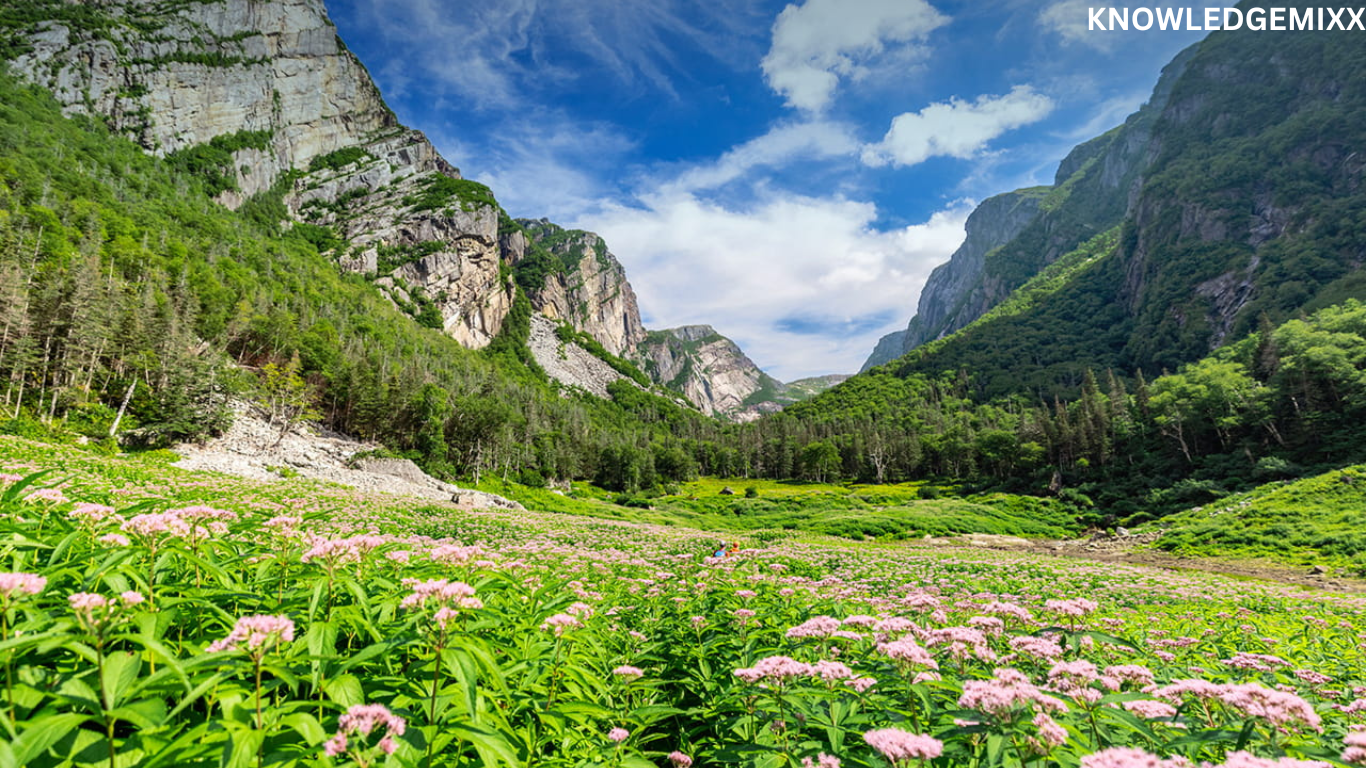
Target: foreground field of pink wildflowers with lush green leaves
x=158 y=618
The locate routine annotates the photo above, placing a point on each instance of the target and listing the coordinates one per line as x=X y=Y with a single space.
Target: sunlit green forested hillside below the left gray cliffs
x=120 y=274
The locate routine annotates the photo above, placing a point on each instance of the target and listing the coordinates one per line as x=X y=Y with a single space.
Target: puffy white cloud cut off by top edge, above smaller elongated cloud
x=822 y=42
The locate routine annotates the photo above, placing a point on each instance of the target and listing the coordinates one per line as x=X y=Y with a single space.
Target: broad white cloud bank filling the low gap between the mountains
x=805 y=285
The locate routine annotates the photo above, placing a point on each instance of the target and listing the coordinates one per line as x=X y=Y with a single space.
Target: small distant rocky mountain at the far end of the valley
x=712 y=372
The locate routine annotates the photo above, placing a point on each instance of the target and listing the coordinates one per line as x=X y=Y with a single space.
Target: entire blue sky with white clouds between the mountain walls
x=786 y=173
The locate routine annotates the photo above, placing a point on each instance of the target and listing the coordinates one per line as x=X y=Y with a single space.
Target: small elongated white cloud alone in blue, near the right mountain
x=957 y=129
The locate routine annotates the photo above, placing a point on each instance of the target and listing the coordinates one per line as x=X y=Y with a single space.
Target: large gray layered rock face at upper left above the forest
x=181 y=76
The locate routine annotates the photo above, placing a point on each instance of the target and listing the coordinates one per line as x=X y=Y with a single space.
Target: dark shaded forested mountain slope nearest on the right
x=1251 y=206
